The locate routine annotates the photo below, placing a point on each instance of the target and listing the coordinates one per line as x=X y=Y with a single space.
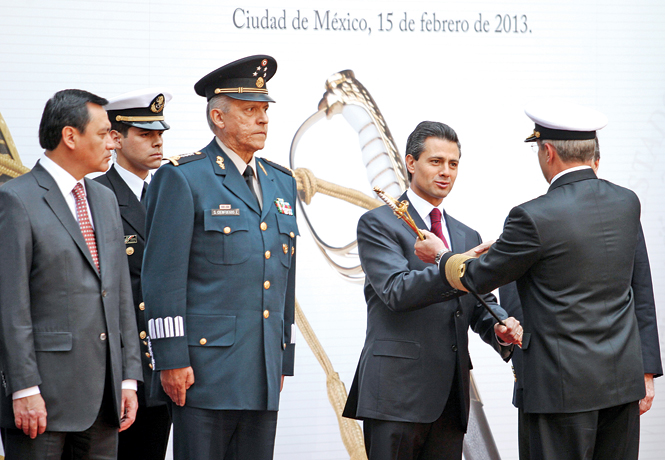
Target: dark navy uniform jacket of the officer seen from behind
x=572 y=253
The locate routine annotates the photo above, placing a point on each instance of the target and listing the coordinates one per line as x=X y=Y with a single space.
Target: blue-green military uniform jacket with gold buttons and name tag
x=227 y=268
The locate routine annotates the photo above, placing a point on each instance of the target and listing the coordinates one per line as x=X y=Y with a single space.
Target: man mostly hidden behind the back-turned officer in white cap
x=645 y=310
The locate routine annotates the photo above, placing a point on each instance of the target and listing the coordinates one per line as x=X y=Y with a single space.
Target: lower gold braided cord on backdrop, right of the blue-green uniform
x=352 y=435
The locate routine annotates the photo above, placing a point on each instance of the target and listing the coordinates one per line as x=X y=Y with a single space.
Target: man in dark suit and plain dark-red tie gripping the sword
x=411 y=388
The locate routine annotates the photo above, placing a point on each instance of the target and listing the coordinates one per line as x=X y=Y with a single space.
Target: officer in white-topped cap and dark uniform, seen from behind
x=572 y=254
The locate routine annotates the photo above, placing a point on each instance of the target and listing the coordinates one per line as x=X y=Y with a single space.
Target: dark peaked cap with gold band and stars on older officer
x=244 y=79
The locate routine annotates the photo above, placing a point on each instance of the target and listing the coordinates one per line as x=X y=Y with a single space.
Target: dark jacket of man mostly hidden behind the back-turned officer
x=645 y=310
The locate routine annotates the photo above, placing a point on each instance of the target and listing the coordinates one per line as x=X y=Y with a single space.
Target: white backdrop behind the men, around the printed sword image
x=608 y=54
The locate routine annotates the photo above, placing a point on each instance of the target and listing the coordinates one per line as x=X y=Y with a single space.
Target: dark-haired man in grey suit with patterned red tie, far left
x=68 y=341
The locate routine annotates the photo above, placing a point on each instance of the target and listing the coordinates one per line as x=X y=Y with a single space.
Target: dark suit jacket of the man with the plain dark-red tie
x=416 y=329
